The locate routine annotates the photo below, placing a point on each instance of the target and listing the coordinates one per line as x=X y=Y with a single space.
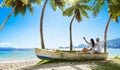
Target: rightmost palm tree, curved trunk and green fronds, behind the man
x=113 y=10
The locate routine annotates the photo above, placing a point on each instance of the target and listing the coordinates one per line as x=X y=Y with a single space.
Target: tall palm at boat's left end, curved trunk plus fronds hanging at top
x=54 y=4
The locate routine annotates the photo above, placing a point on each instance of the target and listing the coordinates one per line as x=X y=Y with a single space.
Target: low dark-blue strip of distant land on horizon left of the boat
x=14 y=49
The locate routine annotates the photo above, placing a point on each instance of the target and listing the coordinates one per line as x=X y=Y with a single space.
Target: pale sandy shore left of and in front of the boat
x=30 y=65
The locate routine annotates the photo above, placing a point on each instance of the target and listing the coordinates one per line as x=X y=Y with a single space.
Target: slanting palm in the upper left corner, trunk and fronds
x=18 y=6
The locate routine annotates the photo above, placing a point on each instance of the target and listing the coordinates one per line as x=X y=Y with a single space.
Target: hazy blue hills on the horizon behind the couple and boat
x=115 y=43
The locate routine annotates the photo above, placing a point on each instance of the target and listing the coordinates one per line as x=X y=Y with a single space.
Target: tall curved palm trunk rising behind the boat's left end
x=41 y=25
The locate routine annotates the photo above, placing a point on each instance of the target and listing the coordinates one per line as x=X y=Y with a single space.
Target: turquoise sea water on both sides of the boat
x=30 y=54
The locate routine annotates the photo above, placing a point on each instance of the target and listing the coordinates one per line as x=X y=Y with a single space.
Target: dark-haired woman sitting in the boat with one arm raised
x=91 y=44
